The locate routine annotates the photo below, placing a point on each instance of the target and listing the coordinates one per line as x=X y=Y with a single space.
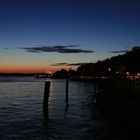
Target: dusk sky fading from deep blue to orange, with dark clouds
x=47 y=35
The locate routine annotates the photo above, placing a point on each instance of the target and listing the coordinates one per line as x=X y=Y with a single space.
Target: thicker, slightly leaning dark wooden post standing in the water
x=46 y=98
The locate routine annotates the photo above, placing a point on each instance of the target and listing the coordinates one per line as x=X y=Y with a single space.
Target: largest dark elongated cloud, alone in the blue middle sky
x=58 y=49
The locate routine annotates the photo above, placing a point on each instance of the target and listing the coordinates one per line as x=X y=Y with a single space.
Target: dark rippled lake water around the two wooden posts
x=21 y=116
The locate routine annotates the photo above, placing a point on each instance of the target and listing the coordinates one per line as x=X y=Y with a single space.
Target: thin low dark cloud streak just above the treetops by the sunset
x=69 y=64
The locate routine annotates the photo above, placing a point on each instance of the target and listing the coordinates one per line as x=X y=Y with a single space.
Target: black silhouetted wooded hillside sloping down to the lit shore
x=124 y=65
